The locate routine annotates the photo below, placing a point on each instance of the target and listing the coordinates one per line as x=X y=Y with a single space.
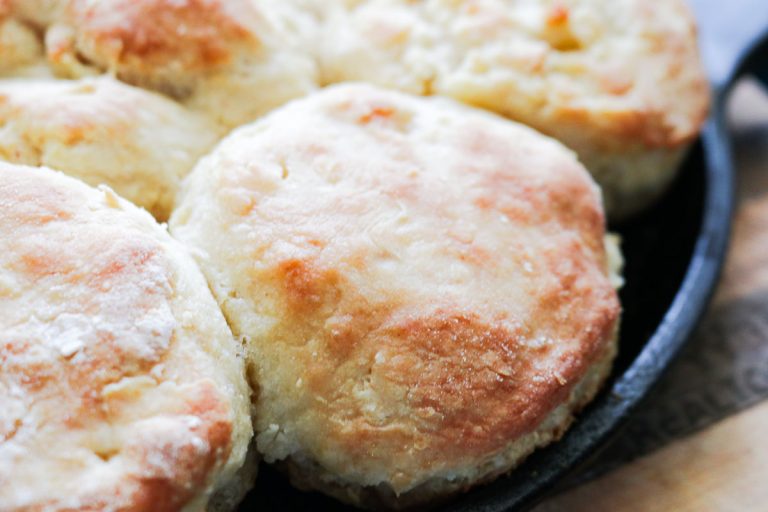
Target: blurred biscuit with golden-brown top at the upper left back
x=232 y=59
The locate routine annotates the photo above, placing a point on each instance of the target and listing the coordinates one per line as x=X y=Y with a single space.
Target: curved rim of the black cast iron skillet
x=611 y=410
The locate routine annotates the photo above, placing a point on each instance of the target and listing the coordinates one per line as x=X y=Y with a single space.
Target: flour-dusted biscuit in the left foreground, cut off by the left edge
x=121 y=385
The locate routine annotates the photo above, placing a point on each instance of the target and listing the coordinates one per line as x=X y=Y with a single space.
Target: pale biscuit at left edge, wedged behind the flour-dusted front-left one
x=104 y=132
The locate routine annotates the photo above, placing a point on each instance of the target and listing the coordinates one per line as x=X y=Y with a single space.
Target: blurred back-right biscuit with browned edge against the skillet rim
x=619 y=81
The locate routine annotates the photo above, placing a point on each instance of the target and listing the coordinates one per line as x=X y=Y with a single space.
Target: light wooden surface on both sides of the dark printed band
x=725 y=466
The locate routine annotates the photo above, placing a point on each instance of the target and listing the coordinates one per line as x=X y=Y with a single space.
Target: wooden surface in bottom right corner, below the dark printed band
x=723 y=468
